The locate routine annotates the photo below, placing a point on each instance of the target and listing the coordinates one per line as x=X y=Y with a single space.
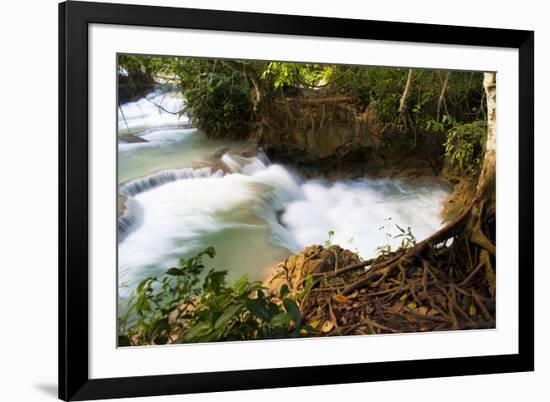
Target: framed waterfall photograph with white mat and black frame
x=258 y=201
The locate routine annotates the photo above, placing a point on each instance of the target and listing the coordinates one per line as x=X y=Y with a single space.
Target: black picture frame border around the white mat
x=74 y=381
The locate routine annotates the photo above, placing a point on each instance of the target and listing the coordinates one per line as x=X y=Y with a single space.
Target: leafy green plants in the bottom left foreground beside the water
x=176 y=308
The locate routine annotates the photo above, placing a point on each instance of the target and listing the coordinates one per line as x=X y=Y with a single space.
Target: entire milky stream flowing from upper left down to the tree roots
x=255 y=214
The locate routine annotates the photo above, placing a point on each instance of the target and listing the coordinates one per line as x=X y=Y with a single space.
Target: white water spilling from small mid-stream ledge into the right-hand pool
x=363 y=214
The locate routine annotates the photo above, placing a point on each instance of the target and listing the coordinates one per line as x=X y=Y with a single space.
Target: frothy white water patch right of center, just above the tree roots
x=363 y=214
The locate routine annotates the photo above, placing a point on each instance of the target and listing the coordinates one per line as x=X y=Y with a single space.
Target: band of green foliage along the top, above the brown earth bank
x=221 y=96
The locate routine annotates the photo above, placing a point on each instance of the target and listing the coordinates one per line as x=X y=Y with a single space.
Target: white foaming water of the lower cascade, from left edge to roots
x=184 y=210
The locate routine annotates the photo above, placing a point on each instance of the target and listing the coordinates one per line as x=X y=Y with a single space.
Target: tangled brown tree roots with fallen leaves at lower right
x=445 y=282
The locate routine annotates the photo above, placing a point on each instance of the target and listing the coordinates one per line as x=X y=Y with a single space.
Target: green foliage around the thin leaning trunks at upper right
x=382 y=89
